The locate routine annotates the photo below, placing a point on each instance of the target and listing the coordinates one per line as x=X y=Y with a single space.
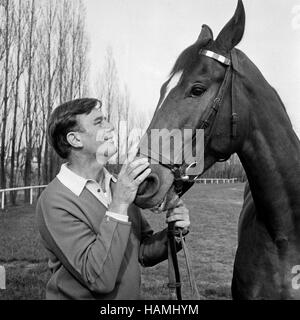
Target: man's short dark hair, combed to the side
x=63 y=120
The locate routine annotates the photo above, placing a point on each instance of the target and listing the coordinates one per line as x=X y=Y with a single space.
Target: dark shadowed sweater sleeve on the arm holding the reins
x=154 y=246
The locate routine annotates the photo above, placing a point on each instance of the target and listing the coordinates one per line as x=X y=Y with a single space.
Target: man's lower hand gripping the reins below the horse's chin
x=180 y=214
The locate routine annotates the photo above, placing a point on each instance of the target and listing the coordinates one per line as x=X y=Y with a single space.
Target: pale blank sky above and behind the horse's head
x=147 y=37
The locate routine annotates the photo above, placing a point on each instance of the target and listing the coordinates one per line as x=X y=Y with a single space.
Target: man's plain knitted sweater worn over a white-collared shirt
x=93 y=256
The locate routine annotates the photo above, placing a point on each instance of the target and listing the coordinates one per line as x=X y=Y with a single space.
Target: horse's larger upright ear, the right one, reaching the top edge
x=233 y=31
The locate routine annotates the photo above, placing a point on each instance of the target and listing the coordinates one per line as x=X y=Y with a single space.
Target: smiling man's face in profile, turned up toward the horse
x=97 y=138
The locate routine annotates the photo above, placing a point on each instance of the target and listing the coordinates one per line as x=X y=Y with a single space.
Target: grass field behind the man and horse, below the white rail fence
x=214 y=211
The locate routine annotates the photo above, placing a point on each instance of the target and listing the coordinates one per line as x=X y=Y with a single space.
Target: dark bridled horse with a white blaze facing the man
x=216 y=87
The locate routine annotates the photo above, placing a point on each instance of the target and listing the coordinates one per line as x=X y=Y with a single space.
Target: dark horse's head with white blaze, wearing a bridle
x=196 y=96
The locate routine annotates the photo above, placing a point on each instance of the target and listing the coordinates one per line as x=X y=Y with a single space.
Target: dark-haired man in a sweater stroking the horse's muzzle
x=94 y=234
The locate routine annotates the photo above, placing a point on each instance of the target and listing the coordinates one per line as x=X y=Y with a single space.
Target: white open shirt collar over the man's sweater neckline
x=76 y=183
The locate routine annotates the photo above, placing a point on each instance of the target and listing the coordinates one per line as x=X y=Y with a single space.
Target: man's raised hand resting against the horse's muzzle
x=127 y=184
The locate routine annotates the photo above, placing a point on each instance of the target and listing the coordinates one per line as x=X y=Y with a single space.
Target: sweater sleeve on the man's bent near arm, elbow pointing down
x=93 y=258
